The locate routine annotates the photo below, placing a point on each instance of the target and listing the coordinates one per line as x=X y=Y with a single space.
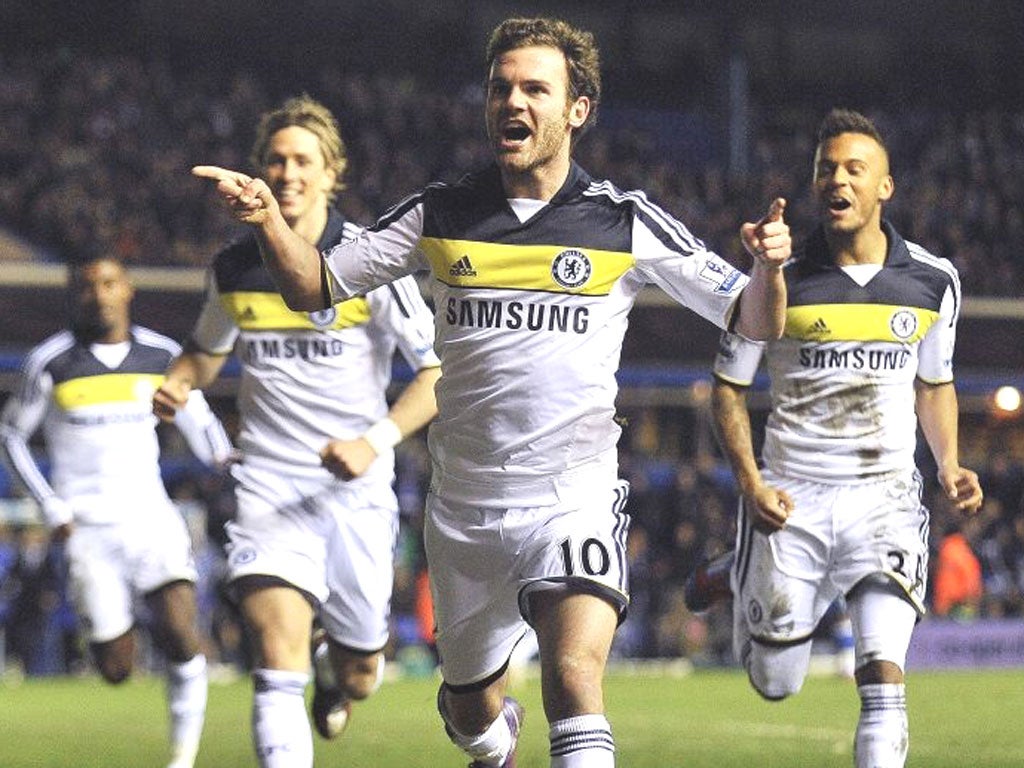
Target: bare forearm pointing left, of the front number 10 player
x=294 y=264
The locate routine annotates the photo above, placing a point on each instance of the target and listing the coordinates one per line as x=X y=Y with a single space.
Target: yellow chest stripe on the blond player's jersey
x=260 y=311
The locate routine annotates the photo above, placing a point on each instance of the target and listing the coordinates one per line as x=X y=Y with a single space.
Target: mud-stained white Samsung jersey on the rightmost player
x=842 y=376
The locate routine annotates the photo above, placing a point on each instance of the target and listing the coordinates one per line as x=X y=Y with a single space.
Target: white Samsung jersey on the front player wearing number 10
x=530 y=321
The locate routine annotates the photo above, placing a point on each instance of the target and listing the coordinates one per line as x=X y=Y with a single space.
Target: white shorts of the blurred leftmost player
x=112 y=565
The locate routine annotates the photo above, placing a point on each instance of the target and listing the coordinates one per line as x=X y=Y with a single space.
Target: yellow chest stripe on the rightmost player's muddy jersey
x=825 y=323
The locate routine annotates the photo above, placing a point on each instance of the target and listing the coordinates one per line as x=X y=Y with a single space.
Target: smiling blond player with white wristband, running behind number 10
x=317 y=517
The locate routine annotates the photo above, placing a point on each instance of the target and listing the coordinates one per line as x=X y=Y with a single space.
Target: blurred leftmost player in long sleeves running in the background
x=90 y=388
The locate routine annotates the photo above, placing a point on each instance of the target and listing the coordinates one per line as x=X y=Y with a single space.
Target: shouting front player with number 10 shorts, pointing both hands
x=535 y=268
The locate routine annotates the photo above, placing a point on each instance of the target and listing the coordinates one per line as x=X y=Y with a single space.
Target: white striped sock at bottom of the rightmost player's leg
x=882 y=733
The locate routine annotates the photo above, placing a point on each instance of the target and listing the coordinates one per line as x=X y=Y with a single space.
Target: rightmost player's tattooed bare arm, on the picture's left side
x=733 y=424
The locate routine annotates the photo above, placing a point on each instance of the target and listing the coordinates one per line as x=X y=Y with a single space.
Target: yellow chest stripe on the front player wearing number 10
x=464 y=264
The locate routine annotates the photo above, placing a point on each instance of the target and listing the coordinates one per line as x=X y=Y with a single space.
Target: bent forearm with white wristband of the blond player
x=411 y=412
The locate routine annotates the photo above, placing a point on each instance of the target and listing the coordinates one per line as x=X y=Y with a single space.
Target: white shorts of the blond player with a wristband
x=332 y=540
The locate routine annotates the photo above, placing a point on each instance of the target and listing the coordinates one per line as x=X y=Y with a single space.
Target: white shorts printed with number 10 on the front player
x=486 y=562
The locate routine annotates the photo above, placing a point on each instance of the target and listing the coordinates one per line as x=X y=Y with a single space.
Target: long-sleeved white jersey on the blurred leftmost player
x=99 y=425
